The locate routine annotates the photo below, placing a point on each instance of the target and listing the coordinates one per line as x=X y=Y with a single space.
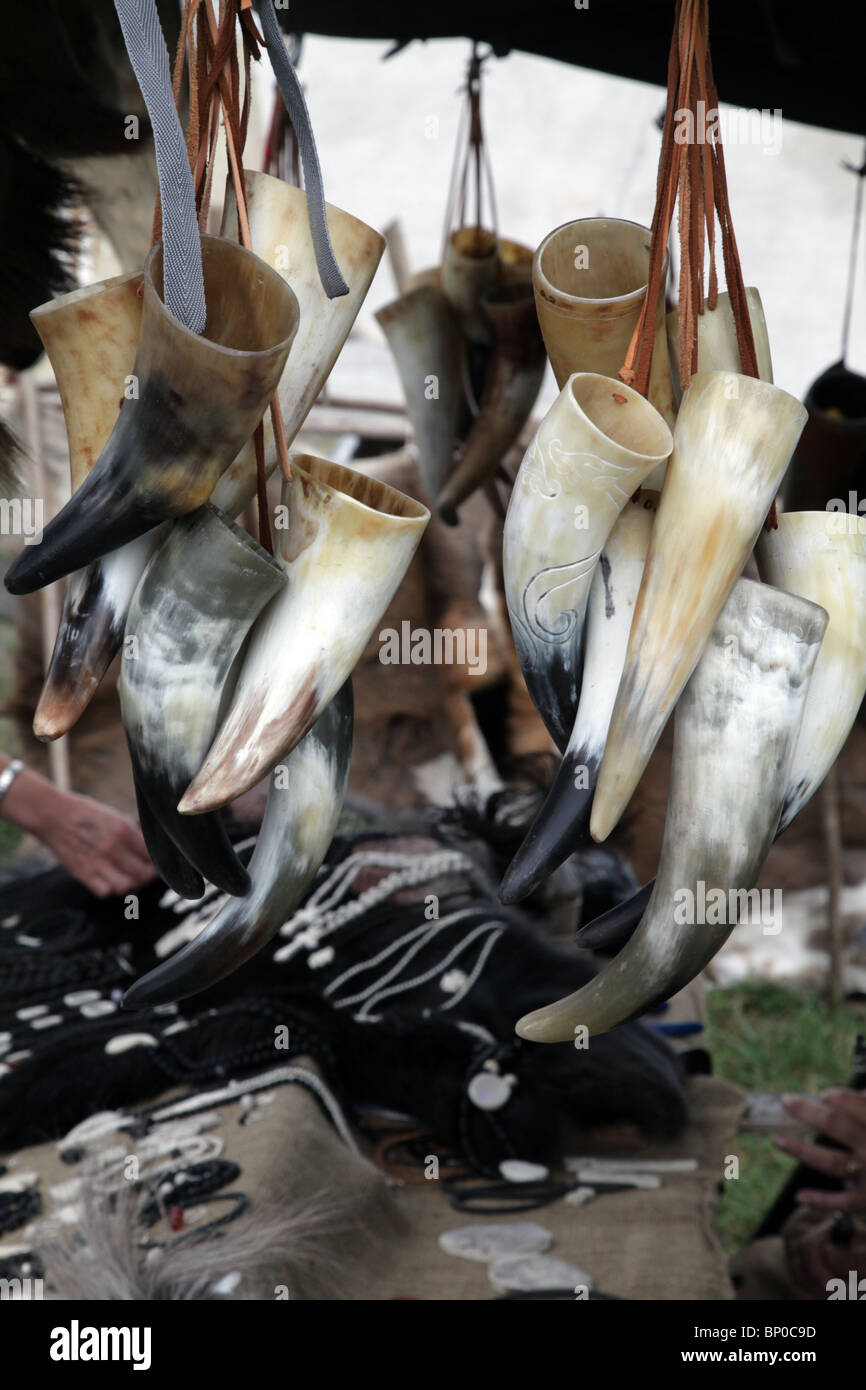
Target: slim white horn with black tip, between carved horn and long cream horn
x=564 y=819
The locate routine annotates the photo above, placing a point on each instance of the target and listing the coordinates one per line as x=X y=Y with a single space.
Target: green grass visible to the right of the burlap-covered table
x=772 y=1039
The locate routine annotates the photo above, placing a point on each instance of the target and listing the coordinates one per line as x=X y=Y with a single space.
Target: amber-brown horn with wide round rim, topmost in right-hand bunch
x=590 y=280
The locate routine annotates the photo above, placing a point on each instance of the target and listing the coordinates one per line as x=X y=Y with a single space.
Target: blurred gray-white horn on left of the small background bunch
x=426 y=345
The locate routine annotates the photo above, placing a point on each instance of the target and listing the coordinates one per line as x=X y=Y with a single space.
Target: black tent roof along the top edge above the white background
x=807 y=59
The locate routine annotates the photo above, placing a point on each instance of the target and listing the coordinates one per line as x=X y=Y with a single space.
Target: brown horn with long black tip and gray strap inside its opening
x=199 y=398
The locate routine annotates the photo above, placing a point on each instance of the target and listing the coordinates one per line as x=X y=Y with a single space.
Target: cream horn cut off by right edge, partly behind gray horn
x=819 y=557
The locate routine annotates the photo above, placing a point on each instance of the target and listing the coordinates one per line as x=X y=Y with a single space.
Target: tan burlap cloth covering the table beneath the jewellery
x=379 y=1242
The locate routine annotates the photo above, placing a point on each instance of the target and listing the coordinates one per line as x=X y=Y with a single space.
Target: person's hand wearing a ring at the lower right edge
x=842 y=1115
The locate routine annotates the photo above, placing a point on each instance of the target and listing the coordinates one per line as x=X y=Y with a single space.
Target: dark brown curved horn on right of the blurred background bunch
x=512 y=384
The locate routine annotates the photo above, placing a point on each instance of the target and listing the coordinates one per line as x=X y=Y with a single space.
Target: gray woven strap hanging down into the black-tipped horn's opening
x=183 y=275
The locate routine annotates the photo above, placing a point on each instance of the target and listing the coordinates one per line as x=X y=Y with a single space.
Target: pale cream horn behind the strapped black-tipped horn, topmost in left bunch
x=280 y=231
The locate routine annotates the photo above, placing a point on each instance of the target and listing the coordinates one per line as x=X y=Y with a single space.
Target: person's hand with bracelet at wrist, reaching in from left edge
x=98 y=846
